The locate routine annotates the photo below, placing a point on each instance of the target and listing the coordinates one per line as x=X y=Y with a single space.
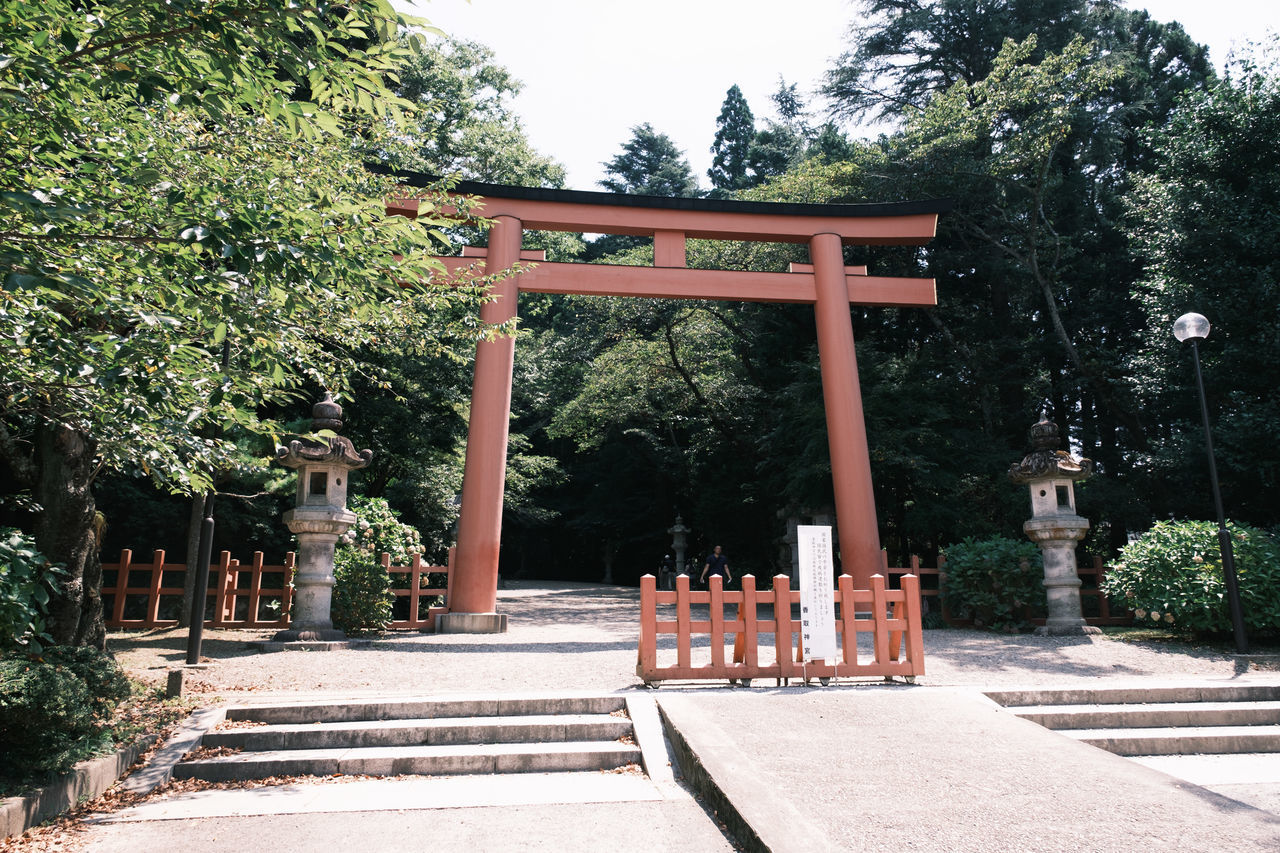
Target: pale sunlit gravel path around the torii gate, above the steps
x=583 y=637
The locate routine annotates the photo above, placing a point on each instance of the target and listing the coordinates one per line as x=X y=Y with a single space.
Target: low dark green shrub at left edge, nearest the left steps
x=53 y=709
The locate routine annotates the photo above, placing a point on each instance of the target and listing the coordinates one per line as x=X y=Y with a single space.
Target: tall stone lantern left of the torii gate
x=318 y=519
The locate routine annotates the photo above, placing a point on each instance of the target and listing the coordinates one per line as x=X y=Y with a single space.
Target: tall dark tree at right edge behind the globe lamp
x=1204 y=222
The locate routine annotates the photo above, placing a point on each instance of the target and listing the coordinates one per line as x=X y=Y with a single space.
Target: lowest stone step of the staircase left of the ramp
x=424 y=761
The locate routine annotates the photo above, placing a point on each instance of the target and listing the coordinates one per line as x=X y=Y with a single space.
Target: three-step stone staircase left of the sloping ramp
x=417 y=737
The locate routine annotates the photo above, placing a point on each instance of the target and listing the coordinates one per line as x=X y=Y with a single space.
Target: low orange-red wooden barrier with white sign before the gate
x=890 y=621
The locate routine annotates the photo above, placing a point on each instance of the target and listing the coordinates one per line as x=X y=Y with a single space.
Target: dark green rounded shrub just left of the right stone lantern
x=994 y=582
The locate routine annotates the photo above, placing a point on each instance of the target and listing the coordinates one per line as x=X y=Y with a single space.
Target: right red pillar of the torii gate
x=843 y=399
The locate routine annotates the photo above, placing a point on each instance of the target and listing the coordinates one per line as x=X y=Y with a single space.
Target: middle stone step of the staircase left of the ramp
x=429 y=732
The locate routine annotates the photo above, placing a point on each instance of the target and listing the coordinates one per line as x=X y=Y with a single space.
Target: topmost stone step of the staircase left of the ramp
x=350 y=711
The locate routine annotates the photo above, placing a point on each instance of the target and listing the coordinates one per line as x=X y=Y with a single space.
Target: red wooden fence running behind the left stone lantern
x=253 y=596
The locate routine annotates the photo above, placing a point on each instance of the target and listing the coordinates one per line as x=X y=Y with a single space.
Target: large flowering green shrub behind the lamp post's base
x=1173 y=577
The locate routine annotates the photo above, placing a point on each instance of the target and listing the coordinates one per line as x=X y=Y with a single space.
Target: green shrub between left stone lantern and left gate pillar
x=363 y=595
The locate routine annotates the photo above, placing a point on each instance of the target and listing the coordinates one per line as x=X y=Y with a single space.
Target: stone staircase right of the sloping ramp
x=1159 y=722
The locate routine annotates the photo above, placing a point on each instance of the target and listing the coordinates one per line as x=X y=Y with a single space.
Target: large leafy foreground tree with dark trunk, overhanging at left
x=186 y=243
